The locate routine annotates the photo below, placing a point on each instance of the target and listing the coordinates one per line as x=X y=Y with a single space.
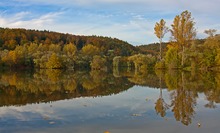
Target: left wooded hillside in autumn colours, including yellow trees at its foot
x=45 y=49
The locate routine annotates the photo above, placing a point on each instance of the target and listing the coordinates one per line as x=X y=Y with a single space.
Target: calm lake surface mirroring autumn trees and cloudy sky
x=53 y=101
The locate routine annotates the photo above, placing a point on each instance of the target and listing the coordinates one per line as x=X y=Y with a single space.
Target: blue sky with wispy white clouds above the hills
x=129 y=20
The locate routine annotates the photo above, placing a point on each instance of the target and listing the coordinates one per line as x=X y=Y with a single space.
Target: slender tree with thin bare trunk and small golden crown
x=160 y=30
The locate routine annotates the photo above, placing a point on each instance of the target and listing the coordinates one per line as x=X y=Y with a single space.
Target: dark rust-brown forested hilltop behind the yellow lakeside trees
x=10 y=38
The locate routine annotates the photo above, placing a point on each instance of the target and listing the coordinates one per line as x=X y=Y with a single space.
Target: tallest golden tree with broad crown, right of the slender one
x=183 y=32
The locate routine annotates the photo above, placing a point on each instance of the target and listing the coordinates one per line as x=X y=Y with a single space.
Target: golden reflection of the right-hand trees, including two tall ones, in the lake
x=183 y=87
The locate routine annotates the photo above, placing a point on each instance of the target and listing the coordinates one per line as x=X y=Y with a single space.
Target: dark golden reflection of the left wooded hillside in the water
x=20 y=88
